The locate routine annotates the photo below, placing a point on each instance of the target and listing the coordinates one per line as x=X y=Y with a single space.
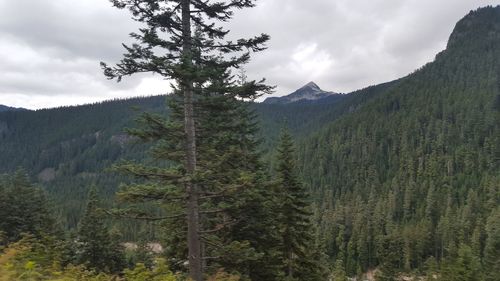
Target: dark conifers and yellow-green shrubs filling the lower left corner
x=34 y=247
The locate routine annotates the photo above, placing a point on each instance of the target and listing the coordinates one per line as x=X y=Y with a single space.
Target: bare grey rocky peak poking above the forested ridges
x=308 y=92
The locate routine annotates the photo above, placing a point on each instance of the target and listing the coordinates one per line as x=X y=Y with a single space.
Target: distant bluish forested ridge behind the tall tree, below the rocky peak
x=68 y=149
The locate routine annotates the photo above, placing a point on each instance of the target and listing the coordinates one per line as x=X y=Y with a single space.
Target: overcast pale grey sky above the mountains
x=51 y=49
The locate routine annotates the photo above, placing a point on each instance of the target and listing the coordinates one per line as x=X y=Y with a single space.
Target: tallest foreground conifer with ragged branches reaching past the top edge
x=195 y=55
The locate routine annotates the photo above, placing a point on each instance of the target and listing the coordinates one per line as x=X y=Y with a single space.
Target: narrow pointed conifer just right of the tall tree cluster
x=301 y=256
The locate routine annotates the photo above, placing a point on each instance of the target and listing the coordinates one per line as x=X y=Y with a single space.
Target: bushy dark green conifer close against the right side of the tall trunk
x=248 y=200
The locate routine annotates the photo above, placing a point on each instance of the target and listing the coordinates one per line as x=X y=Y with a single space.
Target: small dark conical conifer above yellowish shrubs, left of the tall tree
x=95 y=248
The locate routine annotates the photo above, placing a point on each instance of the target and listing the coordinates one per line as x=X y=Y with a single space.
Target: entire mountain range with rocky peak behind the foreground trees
x=404 y=174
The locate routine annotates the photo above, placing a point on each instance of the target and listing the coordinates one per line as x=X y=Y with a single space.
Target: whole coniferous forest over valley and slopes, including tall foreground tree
x=397 y=181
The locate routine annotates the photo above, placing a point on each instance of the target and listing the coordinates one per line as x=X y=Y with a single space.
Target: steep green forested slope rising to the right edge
x=413 y=175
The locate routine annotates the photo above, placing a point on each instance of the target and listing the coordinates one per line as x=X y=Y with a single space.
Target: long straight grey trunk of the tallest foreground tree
x=193 y=214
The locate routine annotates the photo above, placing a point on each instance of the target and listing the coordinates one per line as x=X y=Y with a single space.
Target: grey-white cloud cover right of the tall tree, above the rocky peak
x=366 y=42
